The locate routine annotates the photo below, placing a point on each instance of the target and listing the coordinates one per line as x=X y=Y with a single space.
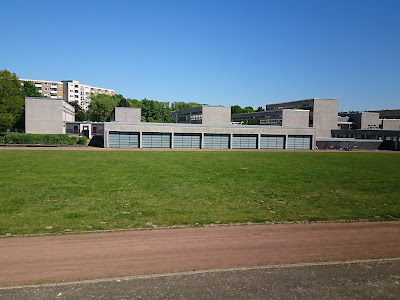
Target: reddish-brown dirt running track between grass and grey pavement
x=87 y=256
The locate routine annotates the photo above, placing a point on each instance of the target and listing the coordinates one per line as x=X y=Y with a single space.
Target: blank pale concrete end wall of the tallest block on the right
x=325 y=116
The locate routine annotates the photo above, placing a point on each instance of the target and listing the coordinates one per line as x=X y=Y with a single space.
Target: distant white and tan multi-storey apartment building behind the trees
x=69 y=90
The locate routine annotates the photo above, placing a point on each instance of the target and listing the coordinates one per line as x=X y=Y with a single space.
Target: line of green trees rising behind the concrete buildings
x=12 y=105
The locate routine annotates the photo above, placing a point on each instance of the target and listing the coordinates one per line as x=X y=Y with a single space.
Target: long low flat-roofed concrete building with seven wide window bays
x=200 y=136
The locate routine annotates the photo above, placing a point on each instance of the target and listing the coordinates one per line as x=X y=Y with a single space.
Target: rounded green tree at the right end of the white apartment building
x=100 y=108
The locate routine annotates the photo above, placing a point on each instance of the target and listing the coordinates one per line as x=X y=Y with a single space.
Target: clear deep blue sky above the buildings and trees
x=215 y=52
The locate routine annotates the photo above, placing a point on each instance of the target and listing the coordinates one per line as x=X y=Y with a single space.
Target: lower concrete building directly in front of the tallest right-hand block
x=278 y=117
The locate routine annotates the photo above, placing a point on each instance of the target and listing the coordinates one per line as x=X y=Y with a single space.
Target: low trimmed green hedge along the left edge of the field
x=44 y=139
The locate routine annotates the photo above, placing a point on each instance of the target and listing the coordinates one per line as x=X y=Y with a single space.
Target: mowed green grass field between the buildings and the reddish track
x=96 y=190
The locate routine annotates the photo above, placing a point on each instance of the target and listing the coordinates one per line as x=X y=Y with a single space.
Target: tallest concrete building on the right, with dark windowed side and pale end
x=323 y=113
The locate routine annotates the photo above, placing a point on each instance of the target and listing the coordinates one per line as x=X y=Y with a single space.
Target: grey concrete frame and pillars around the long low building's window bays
x=202 y=130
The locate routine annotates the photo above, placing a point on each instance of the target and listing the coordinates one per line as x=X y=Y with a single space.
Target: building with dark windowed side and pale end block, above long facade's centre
x=205 y=114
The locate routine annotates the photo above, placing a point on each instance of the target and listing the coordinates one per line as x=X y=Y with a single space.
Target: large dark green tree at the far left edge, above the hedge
x=12 y=102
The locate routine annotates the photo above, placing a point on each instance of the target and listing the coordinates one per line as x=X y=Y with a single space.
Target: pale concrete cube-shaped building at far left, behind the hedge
x=47 y=116
